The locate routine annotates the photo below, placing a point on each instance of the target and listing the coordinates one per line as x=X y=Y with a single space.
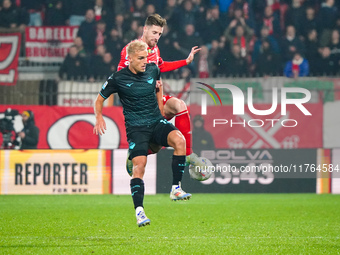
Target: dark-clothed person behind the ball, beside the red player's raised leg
x=201 y=138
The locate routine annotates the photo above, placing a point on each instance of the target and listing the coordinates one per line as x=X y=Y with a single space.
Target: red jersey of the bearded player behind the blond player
x=153 y=57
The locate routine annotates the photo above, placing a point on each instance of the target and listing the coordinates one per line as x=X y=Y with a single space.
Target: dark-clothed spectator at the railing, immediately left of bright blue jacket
x=268 y=61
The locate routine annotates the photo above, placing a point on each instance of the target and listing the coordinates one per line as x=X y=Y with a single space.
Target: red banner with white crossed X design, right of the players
x=293 y=130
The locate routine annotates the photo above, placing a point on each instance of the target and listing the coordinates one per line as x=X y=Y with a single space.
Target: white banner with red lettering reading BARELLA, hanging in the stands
x=49 y=44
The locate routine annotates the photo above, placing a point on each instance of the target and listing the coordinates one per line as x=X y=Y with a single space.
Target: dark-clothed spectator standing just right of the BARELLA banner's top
x=88 y=31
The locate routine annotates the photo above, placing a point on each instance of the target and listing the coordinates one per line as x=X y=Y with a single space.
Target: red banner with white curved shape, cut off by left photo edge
x=10 y=49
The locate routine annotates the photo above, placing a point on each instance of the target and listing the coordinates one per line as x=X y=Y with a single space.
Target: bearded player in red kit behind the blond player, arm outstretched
x=173 y=107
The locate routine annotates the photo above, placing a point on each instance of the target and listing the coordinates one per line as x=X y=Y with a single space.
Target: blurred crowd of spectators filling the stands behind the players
x=238 y=37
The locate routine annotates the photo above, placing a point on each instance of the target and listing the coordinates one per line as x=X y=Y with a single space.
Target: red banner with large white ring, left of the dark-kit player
x=71 y=127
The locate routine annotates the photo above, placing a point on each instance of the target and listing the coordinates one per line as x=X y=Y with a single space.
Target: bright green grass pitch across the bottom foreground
x=207 y=224
